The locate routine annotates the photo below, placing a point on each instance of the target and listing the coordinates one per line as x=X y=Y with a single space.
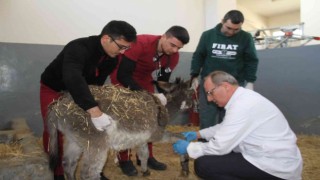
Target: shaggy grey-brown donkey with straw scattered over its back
x=137 y=118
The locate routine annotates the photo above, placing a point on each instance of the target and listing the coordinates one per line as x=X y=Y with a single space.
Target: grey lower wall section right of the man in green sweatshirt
x=290 y=78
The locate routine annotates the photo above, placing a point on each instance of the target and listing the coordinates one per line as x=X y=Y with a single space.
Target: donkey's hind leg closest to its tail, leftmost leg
x=71 y=155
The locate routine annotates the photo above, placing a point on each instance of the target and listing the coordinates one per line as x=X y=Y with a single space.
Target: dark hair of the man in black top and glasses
x=120 y=30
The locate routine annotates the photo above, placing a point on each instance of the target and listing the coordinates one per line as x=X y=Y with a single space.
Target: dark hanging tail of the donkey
x=53 y=140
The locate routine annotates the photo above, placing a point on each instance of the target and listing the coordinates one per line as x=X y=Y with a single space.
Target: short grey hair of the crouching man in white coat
x=218 y=77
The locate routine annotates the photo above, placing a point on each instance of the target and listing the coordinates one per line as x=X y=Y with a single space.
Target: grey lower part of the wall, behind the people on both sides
x=288 y=76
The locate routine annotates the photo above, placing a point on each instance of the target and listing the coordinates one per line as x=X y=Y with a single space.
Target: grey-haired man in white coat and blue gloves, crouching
x=254 y=141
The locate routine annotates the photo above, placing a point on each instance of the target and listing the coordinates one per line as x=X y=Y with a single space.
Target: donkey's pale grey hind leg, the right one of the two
x=93 y=161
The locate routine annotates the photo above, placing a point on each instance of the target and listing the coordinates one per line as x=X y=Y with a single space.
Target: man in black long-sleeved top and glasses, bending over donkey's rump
x=82 y=62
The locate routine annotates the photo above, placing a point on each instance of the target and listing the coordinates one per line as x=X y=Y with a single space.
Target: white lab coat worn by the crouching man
x=255 y=127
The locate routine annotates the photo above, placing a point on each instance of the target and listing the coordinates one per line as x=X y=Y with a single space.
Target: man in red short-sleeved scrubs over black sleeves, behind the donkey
x=150 y=53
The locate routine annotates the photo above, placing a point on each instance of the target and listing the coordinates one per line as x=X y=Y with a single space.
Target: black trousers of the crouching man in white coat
x=229 y=167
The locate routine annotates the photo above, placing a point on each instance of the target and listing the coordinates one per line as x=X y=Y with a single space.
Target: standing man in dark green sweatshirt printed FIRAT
x=228 y=48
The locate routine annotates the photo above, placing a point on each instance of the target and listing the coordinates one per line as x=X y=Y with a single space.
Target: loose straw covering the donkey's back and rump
x=130 y=108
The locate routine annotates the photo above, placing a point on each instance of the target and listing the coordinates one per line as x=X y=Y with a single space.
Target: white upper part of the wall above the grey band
x=59 y=21
